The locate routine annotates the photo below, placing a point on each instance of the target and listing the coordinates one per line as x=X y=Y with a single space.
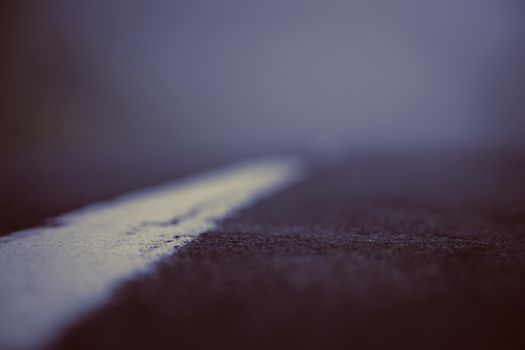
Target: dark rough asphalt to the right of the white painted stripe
x=378 y=252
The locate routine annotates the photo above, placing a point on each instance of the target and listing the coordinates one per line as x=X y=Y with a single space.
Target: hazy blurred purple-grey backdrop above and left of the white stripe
x=100 y=97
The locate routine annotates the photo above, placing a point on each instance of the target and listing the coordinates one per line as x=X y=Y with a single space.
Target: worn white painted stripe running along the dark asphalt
x=50 y=276
